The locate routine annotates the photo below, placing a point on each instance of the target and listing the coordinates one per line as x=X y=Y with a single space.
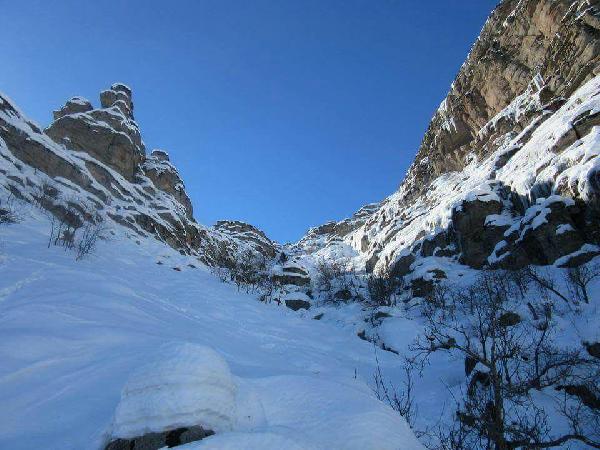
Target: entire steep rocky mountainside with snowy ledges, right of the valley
x=507 y=172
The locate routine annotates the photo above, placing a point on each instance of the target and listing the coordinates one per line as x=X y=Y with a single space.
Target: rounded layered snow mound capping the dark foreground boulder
x=186 y=385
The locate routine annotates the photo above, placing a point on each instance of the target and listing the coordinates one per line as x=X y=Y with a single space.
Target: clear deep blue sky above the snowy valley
x=282 y=113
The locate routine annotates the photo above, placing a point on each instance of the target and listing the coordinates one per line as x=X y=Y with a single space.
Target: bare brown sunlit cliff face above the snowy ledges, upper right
x=555 y=42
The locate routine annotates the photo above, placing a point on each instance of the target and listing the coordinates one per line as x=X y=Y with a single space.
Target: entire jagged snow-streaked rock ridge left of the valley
x=94 y=159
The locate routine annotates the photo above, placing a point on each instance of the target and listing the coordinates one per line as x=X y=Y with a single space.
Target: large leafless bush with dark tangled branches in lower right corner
x=507 y=358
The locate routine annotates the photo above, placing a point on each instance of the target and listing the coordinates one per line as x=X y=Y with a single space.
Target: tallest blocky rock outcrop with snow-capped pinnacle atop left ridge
x=108 y=134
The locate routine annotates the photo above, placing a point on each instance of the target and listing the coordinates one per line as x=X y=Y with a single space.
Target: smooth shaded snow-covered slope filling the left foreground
x=117 y=344
